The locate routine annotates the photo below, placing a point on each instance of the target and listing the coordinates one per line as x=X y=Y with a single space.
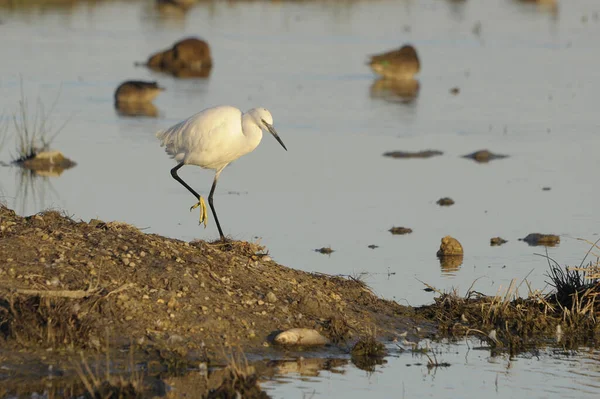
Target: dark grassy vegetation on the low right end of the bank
x=568 y=315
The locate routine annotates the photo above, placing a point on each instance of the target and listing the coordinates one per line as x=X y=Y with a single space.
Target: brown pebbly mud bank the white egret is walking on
x=67 y=285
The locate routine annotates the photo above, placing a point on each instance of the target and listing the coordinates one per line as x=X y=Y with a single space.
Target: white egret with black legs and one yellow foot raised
x=212 y=139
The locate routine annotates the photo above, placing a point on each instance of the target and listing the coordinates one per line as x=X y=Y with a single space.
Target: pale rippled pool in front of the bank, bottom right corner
x=546 y=374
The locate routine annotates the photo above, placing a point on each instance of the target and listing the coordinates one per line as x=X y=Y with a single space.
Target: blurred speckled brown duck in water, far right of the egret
x=397 y=64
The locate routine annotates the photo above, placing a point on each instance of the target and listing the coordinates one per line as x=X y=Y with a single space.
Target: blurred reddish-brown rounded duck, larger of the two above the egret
x=189 y=57
